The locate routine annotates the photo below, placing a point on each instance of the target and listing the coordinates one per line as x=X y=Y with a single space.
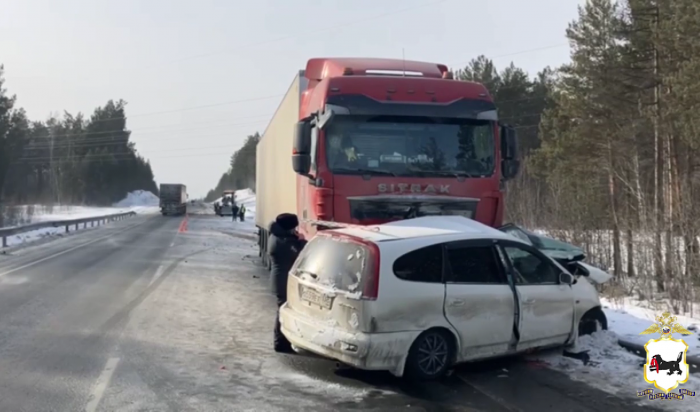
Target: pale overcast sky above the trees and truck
x=218 y=68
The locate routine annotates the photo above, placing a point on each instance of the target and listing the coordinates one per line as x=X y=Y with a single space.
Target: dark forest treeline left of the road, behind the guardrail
x=71 y=159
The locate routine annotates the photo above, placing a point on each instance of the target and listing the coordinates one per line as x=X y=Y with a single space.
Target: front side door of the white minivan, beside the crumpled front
x=546 y=306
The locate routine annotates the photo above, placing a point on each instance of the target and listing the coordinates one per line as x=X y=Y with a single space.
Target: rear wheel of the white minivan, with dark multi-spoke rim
x=430 y=356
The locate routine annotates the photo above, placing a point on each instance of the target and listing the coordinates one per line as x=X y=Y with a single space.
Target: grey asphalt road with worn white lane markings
x=150 y=314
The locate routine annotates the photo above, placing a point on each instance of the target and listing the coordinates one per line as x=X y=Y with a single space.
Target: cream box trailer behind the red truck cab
x=276 y=182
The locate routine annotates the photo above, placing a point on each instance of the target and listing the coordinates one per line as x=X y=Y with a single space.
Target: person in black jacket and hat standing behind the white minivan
x=284 y=247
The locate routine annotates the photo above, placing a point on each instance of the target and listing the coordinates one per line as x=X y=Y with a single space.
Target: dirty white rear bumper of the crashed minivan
x=369 y=351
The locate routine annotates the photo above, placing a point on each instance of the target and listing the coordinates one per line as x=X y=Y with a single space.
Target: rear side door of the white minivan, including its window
x=479 y=303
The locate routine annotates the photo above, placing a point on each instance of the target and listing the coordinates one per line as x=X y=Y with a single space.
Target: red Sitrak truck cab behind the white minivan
x=380 y=140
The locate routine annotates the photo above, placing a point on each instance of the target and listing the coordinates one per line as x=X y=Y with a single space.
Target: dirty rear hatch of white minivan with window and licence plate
x=332 y=279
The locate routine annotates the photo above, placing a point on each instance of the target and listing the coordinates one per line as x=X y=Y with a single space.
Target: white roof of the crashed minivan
x=446 y=226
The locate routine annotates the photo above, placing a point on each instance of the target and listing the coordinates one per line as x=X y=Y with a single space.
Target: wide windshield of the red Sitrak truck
x=410 y=146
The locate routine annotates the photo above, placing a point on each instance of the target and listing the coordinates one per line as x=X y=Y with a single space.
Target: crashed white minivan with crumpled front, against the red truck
x=417 y=296
